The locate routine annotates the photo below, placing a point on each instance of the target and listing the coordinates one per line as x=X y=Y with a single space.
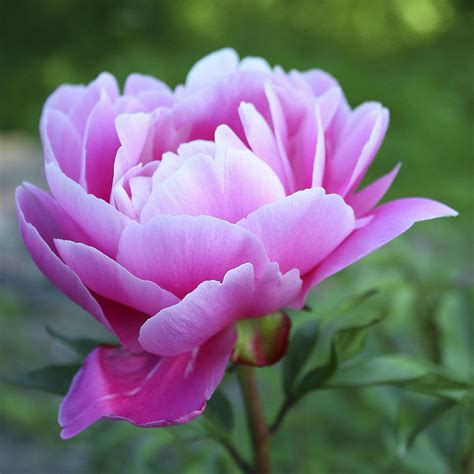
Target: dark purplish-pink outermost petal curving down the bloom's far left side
x=36 y=210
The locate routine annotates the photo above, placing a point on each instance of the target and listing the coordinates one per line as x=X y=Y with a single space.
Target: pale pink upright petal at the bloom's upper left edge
x=61 y=143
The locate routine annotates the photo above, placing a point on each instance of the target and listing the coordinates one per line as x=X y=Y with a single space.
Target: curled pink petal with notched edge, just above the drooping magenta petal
x=213 y=306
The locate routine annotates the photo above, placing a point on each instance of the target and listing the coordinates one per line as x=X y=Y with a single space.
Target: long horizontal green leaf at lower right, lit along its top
x=401 y=371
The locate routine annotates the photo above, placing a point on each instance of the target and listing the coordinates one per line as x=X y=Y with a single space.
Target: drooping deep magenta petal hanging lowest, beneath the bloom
x=143 y=389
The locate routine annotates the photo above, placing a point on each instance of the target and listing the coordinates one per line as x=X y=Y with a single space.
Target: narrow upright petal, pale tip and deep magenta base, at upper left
x=100 y=148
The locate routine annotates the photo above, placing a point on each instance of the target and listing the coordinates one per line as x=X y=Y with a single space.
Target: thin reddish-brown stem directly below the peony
x=255 y=419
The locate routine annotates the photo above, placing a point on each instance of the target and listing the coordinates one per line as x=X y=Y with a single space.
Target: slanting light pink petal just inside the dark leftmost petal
x=102 y=223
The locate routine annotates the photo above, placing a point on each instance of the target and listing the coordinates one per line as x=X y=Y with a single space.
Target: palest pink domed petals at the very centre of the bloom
x=230 y=186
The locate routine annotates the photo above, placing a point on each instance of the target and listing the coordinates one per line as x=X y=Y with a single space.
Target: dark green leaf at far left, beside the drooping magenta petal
x=52 y=379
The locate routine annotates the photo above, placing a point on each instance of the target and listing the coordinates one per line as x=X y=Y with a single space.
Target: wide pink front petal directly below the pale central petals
x=179 y=252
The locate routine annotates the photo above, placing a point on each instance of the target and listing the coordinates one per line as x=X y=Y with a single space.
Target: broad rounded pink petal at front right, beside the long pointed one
x=302 y=229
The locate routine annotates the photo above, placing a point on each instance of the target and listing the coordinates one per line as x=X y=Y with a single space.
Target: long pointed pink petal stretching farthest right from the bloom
x=389 y=221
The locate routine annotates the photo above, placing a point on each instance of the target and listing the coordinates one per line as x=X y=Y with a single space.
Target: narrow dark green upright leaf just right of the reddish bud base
x=301 y=345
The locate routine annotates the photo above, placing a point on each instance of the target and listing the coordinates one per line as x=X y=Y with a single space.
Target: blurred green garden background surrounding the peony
x=415 y=56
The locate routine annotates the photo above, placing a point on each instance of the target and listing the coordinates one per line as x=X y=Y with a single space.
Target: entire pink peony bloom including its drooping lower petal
x=173 y=214
